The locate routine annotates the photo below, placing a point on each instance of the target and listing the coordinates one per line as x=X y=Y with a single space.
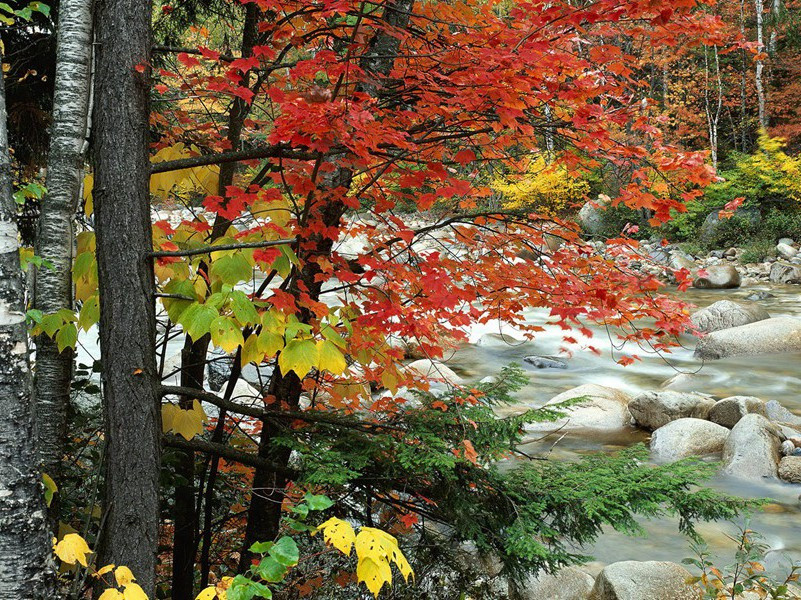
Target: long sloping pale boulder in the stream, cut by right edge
x=769 y=336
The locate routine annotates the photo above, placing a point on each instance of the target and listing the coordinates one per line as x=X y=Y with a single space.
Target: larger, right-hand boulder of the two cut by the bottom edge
x=651 y=580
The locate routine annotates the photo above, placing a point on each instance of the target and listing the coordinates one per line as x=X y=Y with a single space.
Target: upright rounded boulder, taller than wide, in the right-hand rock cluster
x=752 y=450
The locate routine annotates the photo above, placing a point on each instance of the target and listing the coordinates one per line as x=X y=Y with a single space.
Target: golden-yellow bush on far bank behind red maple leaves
x=544 y=188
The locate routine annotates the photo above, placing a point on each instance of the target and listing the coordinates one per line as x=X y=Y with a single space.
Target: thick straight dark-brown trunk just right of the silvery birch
x=131 y=398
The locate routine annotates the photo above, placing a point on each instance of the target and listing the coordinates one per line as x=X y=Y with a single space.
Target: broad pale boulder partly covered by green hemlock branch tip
x=601 y=408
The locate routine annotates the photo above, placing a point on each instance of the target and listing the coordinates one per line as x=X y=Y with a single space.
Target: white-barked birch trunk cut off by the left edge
x=24 y=533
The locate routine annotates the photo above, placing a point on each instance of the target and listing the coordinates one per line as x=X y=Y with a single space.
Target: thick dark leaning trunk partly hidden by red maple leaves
x=264 y=512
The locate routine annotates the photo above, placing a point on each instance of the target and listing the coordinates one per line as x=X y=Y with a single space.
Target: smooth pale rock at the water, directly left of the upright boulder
x=687 y=437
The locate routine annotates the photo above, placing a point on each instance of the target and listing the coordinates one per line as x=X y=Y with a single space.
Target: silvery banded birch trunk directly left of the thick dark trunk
x=55 y=239
